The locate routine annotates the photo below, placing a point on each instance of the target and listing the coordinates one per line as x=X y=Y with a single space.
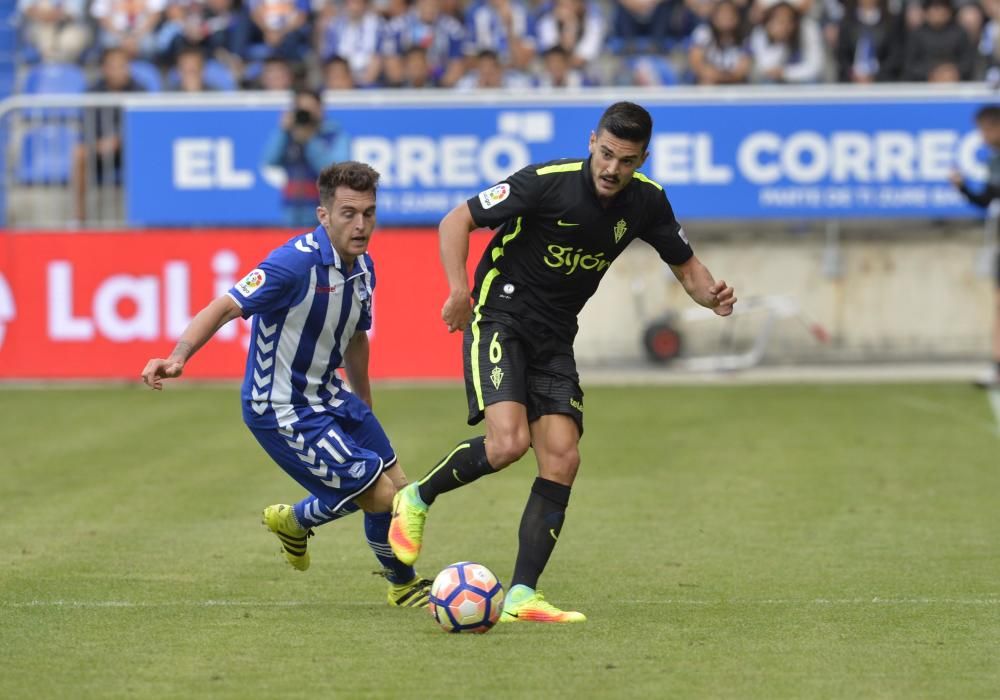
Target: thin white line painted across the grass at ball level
x=653 y=601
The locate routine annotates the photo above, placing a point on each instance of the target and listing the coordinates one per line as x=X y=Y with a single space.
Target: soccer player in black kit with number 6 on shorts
x=559 y=226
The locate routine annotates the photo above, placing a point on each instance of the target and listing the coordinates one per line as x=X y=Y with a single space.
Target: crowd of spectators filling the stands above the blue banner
x=194 y=45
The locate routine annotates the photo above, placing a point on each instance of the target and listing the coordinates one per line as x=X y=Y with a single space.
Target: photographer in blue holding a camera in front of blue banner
x=304 y=144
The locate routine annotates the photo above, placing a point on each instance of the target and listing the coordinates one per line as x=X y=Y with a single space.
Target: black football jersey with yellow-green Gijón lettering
x=555 y=239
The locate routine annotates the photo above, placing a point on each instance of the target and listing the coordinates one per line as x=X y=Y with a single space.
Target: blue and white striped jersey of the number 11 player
x=305 y=307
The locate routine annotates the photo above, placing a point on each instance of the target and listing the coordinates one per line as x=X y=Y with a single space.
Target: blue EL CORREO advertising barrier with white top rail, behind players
x=844 y=152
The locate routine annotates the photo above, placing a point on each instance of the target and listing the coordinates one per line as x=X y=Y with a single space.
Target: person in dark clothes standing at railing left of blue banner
x=98 y=158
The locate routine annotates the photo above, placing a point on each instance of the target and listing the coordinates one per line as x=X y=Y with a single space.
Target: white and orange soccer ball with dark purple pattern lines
x=466 y=597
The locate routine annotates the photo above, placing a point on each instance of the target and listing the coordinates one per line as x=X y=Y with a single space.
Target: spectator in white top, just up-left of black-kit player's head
x=575 y=25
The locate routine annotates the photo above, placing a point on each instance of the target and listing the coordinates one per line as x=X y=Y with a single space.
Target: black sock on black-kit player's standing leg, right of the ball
x=540 y=526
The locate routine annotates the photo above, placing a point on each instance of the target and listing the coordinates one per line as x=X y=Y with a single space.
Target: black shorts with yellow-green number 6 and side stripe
x=511 y=359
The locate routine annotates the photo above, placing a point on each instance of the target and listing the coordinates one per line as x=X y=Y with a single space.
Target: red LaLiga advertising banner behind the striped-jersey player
x=98 y=305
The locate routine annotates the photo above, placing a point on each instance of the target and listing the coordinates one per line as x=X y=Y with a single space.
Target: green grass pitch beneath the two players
x=729 y=542
